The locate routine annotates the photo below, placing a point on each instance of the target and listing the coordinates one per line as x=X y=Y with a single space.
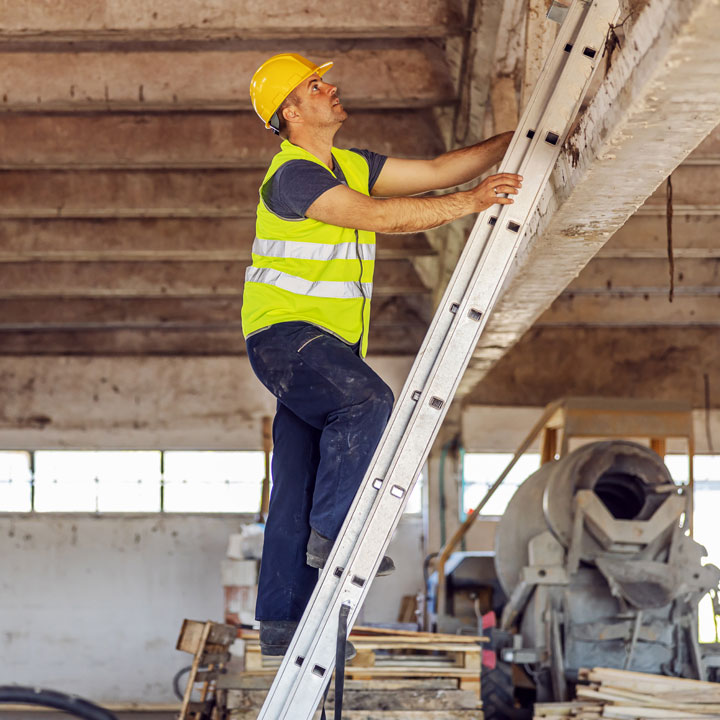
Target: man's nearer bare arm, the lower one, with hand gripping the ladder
x=347 y=208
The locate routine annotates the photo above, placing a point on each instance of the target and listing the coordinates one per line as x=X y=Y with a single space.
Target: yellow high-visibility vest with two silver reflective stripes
x=308 y=270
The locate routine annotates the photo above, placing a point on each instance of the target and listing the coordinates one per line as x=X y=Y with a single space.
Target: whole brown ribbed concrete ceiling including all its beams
x=130 y=163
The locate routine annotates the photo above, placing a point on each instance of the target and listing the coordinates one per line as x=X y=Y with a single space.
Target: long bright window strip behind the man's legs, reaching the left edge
x=207 y=481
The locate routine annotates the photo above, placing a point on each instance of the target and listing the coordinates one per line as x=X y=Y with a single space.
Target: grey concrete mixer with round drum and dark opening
x=594 y=557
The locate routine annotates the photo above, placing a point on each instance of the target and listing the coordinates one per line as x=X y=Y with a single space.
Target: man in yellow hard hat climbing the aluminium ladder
x=306 y=310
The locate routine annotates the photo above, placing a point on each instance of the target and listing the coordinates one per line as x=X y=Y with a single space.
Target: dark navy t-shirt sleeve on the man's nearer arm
x=295 y=187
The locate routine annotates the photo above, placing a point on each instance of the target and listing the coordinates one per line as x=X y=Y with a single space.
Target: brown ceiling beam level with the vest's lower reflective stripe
x=163 y=279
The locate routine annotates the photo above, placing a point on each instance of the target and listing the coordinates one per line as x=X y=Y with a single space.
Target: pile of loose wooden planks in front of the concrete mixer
x=623 y=695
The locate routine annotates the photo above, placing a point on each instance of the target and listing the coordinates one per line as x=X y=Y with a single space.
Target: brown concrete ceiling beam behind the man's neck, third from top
x=190 y=140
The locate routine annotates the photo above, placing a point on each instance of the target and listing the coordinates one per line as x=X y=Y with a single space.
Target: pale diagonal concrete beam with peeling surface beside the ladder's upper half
x=658 y=100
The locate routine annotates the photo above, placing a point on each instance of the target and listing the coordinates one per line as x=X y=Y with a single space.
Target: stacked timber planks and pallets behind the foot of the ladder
x=396 y=675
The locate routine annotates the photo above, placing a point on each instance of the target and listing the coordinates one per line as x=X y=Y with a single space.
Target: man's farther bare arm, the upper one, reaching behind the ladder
x=410 y=177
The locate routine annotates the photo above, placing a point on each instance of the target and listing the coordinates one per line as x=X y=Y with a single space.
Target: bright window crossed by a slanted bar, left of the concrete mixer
x=481 y=470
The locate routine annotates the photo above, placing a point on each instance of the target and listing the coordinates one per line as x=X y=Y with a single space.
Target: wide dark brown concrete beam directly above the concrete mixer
x=665 y=363
